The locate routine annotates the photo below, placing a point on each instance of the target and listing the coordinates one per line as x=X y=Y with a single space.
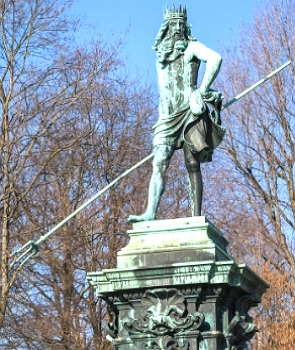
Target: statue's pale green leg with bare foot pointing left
x=162 y=156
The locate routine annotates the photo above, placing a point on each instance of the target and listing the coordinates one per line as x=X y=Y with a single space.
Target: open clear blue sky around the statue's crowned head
x=138 y=21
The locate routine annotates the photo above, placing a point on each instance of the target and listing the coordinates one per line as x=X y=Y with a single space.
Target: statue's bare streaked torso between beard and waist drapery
x=176 y=81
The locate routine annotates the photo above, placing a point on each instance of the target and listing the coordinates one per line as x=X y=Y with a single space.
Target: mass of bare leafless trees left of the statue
x=70 y=118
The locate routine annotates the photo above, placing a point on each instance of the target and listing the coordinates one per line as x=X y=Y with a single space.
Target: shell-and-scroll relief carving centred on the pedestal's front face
x=164 y=312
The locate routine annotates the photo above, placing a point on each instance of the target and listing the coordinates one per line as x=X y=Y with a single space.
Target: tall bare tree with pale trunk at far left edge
x=29 y=33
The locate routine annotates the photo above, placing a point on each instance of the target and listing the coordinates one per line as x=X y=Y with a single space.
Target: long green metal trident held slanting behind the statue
x=31 y=248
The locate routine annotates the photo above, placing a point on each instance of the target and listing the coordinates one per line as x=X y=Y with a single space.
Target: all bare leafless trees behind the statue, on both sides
x=72 y=121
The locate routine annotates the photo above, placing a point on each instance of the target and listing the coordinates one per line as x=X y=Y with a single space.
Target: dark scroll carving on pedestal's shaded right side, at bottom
x=240 y=331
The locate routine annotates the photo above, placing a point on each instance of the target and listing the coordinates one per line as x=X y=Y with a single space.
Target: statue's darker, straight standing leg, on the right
x=195 y=180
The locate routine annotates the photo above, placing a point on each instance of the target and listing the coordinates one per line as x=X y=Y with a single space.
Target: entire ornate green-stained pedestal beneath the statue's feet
x=175 y=287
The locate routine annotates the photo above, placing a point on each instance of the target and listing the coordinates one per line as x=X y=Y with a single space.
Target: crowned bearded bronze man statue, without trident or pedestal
x=189 y=118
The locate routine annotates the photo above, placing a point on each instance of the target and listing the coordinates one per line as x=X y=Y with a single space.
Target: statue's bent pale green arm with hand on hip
x=210 y=57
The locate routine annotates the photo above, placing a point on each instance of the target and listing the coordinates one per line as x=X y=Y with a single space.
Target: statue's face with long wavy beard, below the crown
x=174 y=43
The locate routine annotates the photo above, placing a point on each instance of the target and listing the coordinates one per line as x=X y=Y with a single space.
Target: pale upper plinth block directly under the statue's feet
x=168 y=242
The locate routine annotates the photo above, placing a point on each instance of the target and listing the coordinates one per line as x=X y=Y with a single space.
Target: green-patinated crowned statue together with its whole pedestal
x=175 y=285
